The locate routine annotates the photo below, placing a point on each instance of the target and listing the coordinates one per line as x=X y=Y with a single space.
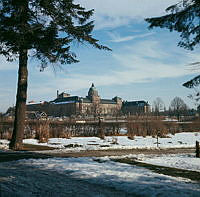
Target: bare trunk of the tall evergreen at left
x=20 y=108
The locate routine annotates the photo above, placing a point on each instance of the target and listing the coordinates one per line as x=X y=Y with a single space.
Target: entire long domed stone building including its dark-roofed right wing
x=91 y=105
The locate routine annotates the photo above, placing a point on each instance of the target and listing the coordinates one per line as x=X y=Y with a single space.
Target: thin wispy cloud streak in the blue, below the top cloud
x=115 y=37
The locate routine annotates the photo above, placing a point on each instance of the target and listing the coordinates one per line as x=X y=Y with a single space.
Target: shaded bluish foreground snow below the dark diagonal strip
x=87 y=177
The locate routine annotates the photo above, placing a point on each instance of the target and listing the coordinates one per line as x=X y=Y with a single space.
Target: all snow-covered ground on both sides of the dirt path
x=102 y=177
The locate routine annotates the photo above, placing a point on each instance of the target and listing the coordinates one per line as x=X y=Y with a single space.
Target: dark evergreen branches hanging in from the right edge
x=184 y=18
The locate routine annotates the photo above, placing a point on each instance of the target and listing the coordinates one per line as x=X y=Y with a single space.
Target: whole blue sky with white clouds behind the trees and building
x=143 y=64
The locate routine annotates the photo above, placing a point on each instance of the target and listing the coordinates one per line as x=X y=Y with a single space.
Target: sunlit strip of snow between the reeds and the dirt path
x=179 y=140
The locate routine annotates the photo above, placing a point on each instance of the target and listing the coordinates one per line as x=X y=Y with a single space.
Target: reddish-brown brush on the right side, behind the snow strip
x=157 y=126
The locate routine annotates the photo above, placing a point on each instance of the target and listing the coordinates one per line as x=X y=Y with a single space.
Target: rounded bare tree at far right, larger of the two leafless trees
x=178 y=107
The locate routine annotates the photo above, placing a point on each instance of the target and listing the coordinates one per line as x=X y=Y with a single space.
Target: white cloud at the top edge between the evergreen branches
x=115 y=13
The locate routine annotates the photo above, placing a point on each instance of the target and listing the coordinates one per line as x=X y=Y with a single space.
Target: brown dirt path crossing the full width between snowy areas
x=32 y=152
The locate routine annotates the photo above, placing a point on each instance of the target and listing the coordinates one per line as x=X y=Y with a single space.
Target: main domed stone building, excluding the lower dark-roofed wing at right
x=66 y=105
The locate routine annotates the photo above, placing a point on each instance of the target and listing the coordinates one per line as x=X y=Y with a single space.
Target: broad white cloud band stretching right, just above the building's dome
x=144 y=61
